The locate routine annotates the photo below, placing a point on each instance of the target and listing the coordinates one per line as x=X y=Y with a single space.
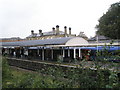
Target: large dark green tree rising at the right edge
x=109 y=23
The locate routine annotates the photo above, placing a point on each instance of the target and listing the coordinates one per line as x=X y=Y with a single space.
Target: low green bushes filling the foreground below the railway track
x=59 y=77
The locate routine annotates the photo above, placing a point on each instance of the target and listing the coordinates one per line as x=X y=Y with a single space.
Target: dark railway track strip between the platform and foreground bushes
x=38 y=65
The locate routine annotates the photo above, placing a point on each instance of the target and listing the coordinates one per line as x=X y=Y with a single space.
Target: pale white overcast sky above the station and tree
x=19 y=17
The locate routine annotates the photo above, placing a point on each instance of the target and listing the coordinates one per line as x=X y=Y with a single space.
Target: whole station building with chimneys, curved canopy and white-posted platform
x=54 y=45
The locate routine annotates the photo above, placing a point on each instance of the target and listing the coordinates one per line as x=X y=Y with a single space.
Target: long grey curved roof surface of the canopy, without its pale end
x=54 y=41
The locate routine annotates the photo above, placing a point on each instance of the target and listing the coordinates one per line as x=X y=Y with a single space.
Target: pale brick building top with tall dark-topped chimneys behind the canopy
x=55 y=33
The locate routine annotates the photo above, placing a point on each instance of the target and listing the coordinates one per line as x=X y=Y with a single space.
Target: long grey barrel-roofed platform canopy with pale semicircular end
x=63 y=41
